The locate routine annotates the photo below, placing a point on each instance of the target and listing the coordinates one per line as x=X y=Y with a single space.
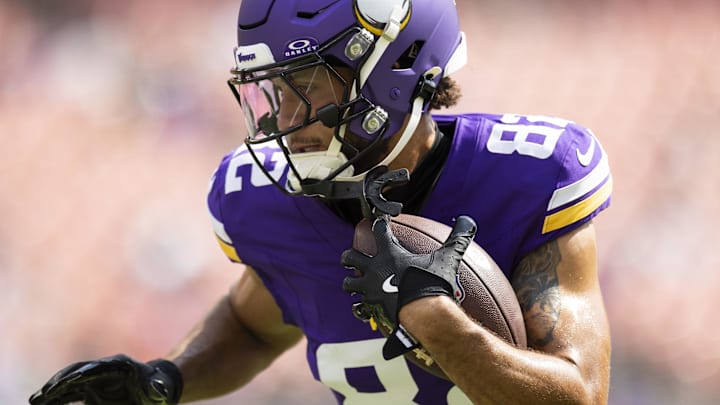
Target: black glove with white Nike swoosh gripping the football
x=395 y=277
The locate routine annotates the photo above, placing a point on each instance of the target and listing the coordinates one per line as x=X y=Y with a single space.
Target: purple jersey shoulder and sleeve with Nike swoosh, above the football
x=526 y=180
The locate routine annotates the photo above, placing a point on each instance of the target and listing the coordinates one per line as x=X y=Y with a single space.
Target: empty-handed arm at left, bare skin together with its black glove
x=240 y=336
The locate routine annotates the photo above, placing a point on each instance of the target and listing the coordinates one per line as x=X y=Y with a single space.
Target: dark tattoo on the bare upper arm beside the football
x=536 y=285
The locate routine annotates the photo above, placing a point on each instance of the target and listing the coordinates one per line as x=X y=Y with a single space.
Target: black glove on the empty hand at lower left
x=114 y=380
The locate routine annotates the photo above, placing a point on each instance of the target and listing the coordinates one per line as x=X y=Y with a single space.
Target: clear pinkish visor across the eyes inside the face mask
x=276 y=102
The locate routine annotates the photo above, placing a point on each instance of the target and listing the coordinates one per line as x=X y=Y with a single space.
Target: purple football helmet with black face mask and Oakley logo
x=364 y=70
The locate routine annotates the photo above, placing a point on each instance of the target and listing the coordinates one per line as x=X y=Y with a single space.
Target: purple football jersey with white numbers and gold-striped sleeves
x=524 y=179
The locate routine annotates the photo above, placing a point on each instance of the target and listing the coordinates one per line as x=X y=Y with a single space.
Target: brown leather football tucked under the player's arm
x=488 y=297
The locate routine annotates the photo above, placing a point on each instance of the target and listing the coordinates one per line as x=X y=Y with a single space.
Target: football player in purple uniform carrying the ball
x=330 y=91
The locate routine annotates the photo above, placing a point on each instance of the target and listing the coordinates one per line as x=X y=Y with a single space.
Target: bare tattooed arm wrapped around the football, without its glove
x=568 y=334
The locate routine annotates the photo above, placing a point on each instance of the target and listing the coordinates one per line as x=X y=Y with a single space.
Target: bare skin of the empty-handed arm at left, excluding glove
x=240 y=337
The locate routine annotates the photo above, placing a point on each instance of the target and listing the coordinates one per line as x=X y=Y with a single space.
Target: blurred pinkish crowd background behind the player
x=113 y=115
